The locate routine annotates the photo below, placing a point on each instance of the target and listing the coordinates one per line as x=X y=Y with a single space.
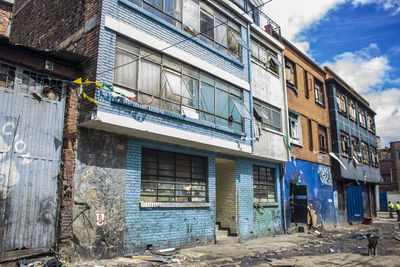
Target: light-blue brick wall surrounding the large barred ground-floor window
x=165 y=227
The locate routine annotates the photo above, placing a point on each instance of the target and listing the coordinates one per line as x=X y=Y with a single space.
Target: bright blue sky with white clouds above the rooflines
x=359 y=40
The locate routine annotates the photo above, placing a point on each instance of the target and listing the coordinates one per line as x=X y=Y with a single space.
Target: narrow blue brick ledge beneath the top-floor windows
x=188 y=36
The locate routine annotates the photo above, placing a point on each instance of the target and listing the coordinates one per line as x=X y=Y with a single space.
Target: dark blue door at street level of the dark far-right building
x=354 y=204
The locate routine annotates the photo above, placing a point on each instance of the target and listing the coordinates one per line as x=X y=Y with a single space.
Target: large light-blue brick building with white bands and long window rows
x=169 y=150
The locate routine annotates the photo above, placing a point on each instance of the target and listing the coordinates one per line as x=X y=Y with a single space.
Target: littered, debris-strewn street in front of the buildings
x=340 y=246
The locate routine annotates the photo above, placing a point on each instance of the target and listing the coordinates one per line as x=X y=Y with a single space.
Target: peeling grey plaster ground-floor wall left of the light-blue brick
x=100 y=183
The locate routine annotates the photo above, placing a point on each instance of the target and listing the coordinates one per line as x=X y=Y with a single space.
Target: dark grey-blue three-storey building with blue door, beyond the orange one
x=354 y=142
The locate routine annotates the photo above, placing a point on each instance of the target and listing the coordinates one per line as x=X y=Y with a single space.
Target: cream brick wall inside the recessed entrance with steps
x=226 y=195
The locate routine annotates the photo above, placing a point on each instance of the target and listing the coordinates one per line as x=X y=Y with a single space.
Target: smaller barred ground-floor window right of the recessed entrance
x=264 y=184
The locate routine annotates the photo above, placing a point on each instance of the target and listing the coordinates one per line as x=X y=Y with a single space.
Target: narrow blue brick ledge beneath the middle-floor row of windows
x=132 y=104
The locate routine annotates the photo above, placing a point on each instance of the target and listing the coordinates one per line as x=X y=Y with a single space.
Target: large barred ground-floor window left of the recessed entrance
x=173 y=177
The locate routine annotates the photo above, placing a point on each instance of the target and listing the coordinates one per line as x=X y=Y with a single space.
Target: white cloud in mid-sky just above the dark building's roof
x=360 y=69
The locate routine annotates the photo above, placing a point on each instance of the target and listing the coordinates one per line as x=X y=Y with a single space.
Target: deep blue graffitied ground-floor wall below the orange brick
x=318 y=194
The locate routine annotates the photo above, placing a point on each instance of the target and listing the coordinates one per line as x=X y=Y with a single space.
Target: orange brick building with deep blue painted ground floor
x=308 y=179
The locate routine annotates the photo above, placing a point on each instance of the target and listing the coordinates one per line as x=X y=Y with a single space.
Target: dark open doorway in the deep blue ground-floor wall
x=298 y=203
